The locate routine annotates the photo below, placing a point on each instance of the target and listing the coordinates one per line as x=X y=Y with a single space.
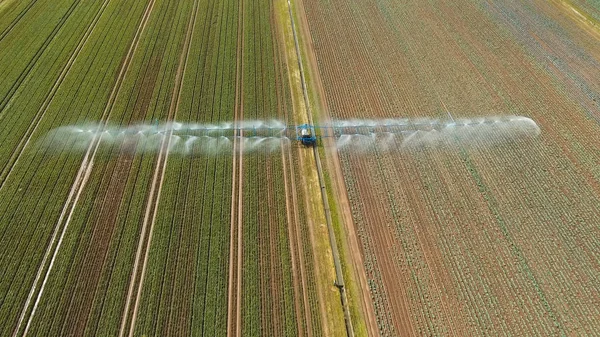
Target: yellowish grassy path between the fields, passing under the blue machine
x=318 y=295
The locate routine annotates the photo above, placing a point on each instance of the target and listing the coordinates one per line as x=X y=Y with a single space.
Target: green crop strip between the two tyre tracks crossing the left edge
x=32 y=92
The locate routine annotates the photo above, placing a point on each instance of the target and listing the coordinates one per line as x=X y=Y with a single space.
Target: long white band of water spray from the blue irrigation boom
x=393 y=134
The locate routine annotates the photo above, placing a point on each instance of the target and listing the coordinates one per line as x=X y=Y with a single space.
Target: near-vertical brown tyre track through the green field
x=235 y=237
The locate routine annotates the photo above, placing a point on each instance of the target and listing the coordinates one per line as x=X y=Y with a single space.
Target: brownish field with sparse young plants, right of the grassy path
x=467 y=235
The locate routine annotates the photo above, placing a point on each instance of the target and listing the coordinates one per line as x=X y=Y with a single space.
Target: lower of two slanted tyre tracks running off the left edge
x=24 y=142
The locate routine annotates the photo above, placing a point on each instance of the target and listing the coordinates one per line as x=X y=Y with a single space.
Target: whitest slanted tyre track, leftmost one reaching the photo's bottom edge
x=81 y=178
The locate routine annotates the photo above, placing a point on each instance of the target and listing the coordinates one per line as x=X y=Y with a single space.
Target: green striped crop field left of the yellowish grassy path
x=119 y=238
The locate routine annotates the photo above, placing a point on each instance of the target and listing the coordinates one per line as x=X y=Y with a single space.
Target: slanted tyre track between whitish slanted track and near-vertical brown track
x=156 y=186
